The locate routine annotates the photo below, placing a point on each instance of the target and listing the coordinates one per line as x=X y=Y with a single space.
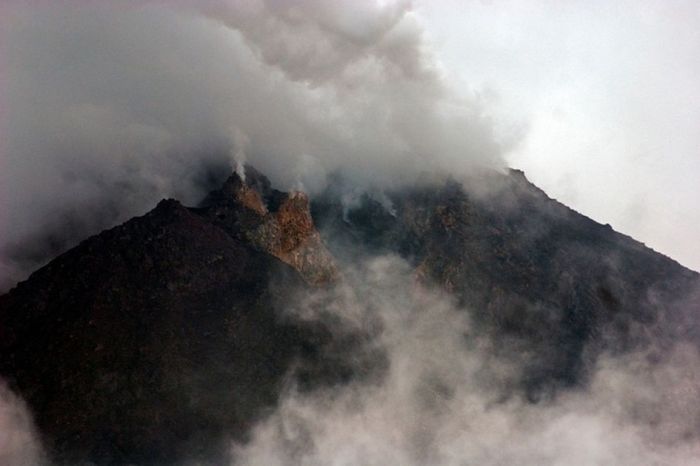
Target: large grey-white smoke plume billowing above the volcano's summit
x=113 y=105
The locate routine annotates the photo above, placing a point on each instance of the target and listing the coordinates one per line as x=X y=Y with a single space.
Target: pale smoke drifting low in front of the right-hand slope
x=448 y=399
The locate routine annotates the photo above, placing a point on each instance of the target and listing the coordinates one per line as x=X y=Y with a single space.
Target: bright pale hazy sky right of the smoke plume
x=605 y=97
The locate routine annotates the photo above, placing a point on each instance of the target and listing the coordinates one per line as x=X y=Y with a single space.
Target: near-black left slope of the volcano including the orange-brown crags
x=156 y=341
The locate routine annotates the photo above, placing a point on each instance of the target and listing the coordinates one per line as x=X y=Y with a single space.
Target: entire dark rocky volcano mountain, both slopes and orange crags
x=158 y=341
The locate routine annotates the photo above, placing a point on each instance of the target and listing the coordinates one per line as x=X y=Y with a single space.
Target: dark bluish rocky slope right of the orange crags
x=536 y=274
